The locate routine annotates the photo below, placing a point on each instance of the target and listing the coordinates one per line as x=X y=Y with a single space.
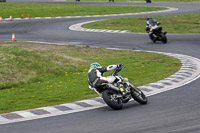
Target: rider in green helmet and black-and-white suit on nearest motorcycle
x=96 y=79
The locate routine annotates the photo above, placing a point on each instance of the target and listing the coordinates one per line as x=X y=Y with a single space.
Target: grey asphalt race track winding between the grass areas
x=175 y=111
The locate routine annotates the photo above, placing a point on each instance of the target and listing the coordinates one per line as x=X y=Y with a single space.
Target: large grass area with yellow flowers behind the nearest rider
x=34 y=75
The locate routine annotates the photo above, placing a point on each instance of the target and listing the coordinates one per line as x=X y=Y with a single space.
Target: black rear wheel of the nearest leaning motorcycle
x=110 y=98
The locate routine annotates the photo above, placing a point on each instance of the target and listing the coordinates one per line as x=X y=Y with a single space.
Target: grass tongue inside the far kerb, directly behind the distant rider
x=184 y=23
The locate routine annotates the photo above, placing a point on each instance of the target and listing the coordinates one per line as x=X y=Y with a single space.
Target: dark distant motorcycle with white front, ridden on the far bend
x=156 y=34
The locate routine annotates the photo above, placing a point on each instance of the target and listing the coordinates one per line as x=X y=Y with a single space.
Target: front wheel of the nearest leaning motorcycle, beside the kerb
x=138 y=96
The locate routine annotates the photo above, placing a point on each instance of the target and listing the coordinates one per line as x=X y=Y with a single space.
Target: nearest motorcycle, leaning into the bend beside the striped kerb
x=113 y=96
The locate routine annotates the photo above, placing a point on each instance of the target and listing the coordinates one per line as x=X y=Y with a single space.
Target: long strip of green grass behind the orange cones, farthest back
x=52 y=10
